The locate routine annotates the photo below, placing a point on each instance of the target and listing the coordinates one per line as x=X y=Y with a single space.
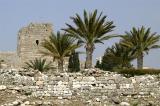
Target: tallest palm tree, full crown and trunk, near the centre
x=90 y=30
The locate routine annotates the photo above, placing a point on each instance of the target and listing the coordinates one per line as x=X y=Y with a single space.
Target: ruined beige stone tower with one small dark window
x=29 y=40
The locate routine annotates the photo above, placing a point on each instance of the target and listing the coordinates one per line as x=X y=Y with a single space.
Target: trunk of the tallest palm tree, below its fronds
x=89 y=52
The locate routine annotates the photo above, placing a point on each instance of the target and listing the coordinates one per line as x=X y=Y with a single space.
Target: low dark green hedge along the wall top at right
x=133 y=72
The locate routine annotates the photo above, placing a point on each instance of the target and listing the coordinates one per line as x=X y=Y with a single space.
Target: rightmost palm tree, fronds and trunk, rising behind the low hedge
x=140 y=40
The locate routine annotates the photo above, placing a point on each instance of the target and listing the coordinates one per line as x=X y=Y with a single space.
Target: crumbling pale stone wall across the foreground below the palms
x=109 y=89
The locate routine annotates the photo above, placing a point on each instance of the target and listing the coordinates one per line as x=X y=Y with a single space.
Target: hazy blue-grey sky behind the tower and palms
x=126 y=14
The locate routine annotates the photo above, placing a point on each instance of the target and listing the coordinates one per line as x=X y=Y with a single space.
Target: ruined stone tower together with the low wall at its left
x=28 y=44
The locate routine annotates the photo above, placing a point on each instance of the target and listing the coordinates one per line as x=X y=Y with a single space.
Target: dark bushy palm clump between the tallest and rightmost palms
x=117 y=55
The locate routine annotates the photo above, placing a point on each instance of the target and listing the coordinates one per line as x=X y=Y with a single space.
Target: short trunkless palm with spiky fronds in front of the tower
x=38 y=64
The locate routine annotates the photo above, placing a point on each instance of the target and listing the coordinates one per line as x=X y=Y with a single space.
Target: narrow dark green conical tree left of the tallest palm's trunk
x=74 y=65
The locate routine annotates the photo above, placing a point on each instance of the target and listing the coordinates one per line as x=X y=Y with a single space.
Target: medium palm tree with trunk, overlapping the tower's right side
x=59 y=46
